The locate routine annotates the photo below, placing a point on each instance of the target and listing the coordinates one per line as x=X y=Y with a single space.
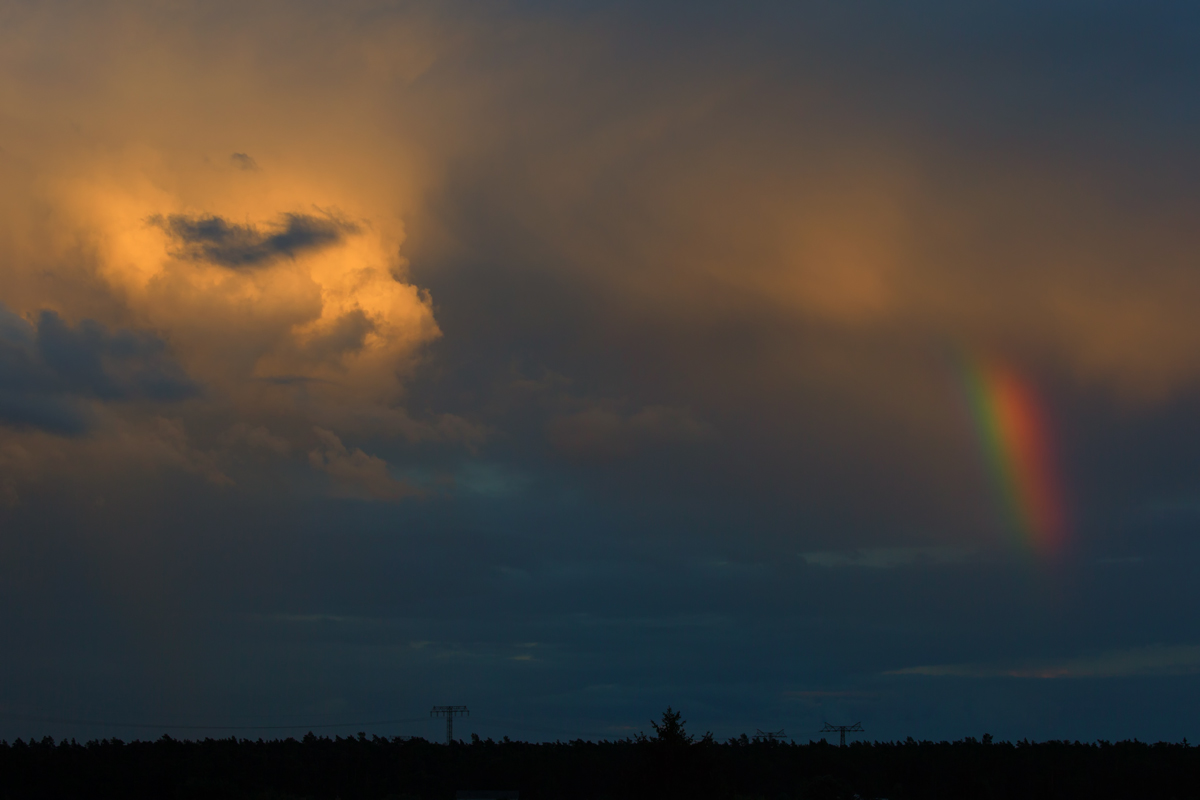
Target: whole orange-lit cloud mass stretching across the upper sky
x=722 y=239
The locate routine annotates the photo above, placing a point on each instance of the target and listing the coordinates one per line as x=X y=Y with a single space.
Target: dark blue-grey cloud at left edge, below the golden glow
x=49 y=370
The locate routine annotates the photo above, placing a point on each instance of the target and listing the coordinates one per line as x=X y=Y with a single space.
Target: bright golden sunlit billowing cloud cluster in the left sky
x=166 y=188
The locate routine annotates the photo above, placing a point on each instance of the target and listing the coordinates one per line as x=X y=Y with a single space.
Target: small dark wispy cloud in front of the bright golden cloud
x=214 y=239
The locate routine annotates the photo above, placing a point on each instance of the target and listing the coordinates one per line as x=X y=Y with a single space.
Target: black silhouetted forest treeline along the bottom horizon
x=670 y=765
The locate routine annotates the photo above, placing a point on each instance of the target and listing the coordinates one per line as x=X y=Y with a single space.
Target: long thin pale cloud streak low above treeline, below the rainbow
x=1155 y=660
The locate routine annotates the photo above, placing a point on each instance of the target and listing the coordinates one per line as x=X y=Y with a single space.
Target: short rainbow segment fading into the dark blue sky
x=1013 y=435
